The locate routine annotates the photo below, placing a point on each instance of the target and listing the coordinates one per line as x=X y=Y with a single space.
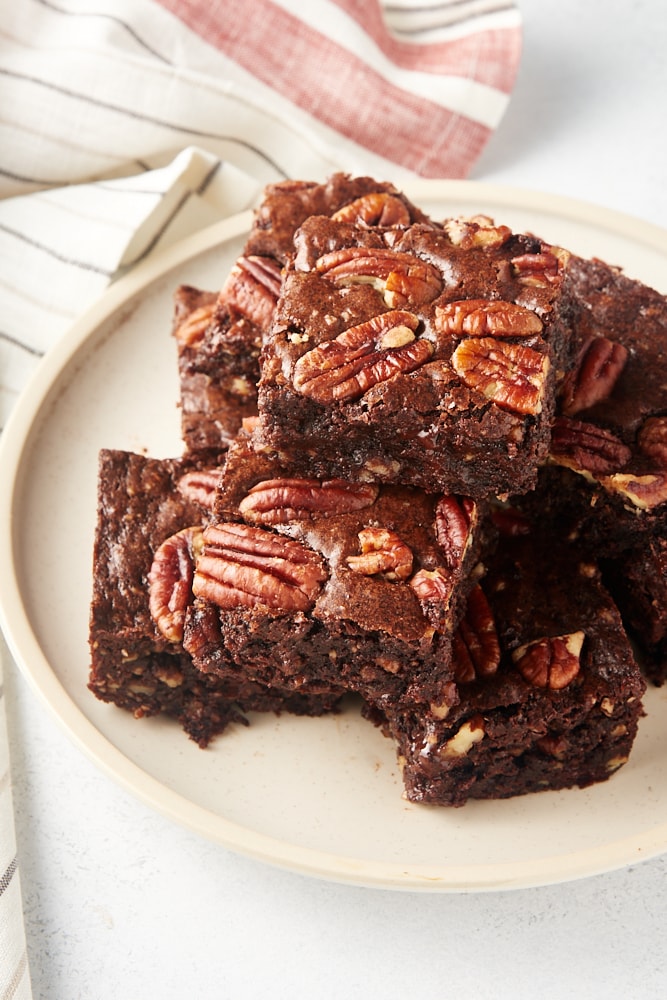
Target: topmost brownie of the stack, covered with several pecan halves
x=426 y=356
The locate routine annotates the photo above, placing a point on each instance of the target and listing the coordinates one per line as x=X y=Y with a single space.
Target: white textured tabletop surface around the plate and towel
x=121 y=904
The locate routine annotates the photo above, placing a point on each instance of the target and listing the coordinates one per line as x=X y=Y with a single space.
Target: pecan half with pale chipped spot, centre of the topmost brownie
x=361 y=357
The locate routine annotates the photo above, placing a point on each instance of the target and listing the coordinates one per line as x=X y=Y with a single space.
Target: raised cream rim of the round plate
x=34 y=666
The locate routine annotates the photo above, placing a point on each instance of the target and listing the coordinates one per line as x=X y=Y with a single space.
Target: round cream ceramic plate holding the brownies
x=319 y=796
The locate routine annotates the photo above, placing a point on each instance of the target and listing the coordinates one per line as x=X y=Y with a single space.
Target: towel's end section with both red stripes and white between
x=428 y=104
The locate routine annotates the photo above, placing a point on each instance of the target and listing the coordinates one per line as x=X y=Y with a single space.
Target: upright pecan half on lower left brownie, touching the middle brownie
x=170 y=581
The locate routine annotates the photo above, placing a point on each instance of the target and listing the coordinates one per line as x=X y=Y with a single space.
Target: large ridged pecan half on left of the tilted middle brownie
x=244 y=566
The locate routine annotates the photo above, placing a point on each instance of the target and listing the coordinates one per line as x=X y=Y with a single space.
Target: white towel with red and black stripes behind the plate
x=128 y=123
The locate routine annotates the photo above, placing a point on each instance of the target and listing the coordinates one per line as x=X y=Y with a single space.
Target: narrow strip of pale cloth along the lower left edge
x=14 y=971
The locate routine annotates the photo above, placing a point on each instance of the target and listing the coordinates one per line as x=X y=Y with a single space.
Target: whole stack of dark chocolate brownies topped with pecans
x=424 y=463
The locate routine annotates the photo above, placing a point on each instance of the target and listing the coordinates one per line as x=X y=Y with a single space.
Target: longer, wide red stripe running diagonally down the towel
x=303 y=65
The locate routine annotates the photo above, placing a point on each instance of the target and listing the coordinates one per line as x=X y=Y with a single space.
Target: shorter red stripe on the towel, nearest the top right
x=488 y=57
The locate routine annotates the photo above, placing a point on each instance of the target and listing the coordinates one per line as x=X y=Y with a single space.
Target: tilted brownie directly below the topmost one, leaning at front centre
x=332 y=582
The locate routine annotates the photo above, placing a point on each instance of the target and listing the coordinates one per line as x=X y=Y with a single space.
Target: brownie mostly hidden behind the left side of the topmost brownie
x=218 y=348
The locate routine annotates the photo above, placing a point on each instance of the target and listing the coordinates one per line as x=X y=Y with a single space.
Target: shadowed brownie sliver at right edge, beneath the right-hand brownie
x=638 y=580
